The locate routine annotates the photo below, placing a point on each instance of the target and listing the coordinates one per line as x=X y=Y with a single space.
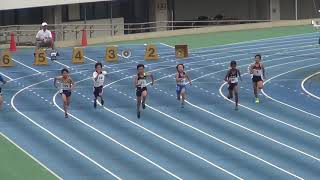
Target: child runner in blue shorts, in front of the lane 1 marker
x=181 y=79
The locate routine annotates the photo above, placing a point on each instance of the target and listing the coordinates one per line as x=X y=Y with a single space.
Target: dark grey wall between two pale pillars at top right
x=239 y=9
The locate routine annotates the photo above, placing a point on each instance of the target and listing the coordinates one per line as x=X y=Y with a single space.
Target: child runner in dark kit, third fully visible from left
x=140 y=82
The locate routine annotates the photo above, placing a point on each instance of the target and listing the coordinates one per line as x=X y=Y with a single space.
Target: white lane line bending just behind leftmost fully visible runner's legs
x=115 y=141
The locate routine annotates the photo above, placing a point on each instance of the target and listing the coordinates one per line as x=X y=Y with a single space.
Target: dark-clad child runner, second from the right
x=232 y=79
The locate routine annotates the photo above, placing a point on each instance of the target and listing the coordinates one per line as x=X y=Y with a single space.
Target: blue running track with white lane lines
x=277 y=139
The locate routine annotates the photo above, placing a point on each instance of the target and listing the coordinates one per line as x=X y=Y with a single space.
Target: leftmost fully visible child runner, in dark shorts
x=66 y=86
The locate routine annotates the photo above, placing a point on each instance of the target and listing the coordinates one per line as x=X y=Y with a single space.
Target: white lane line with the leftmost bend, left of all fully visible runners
x=52 y=134
